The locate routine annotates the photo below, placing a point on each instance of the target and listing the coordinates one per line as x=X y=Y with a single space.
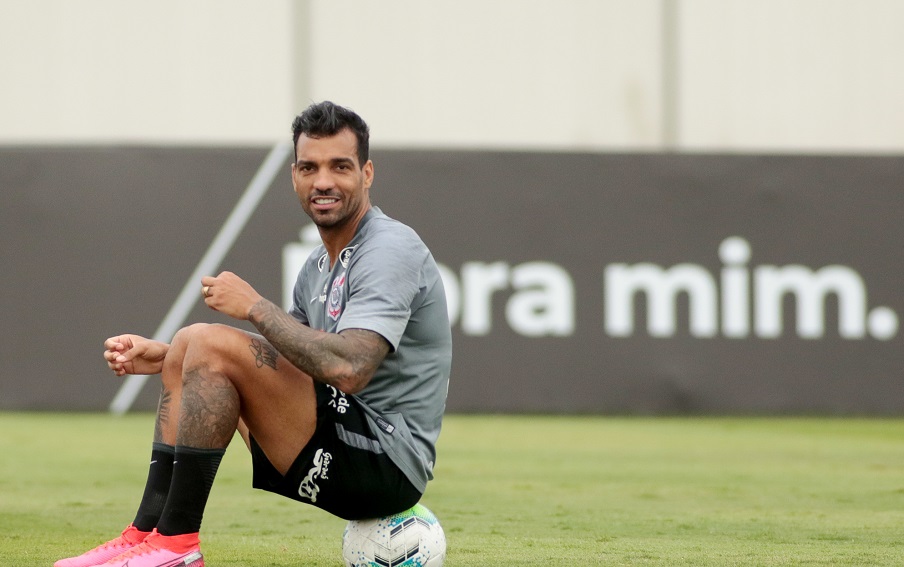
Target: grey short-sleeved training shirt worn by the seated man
x=386 y=281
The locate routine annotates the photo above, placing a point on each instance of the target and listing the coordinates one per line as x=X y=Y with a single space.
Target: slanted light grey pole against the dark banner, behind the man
x=211 y=260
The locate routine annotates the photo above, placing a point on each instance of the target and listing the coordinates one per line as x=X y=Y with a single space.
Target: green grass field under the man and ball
x=509 y=491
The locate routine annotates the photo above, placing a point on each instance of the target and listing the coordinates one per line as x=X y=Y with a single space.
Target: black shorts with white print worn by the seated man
x=342 y=469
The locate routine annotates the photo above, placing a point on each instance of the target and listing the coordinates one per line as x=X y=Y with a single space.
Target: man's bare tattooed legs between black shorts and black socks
x=230 y=380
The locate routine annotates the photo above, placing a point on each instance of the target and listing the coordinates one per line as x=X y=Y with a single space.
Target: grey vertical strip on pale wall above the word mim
x=670 y=69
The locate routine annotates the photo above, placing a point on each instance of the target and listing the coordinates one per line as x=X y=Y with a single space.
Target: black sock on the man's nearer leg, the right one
x=193 y=474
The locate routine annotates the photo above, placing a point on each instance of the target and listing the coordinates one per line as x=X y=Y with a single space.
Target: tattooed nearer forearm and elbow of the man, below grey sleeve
x=346 y=360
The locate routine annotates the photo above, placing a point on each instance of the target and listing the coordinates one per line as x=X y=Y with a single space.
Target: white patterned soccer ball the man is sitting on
x=412 y=538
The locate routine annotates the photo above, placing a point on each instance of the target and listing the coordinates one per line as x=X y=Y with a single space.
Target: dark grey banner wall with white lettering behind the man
x=636 y=283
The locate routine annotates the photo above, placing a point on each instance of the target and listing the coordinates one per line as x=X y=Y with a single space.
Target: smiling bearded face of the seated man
x=333 y=187
